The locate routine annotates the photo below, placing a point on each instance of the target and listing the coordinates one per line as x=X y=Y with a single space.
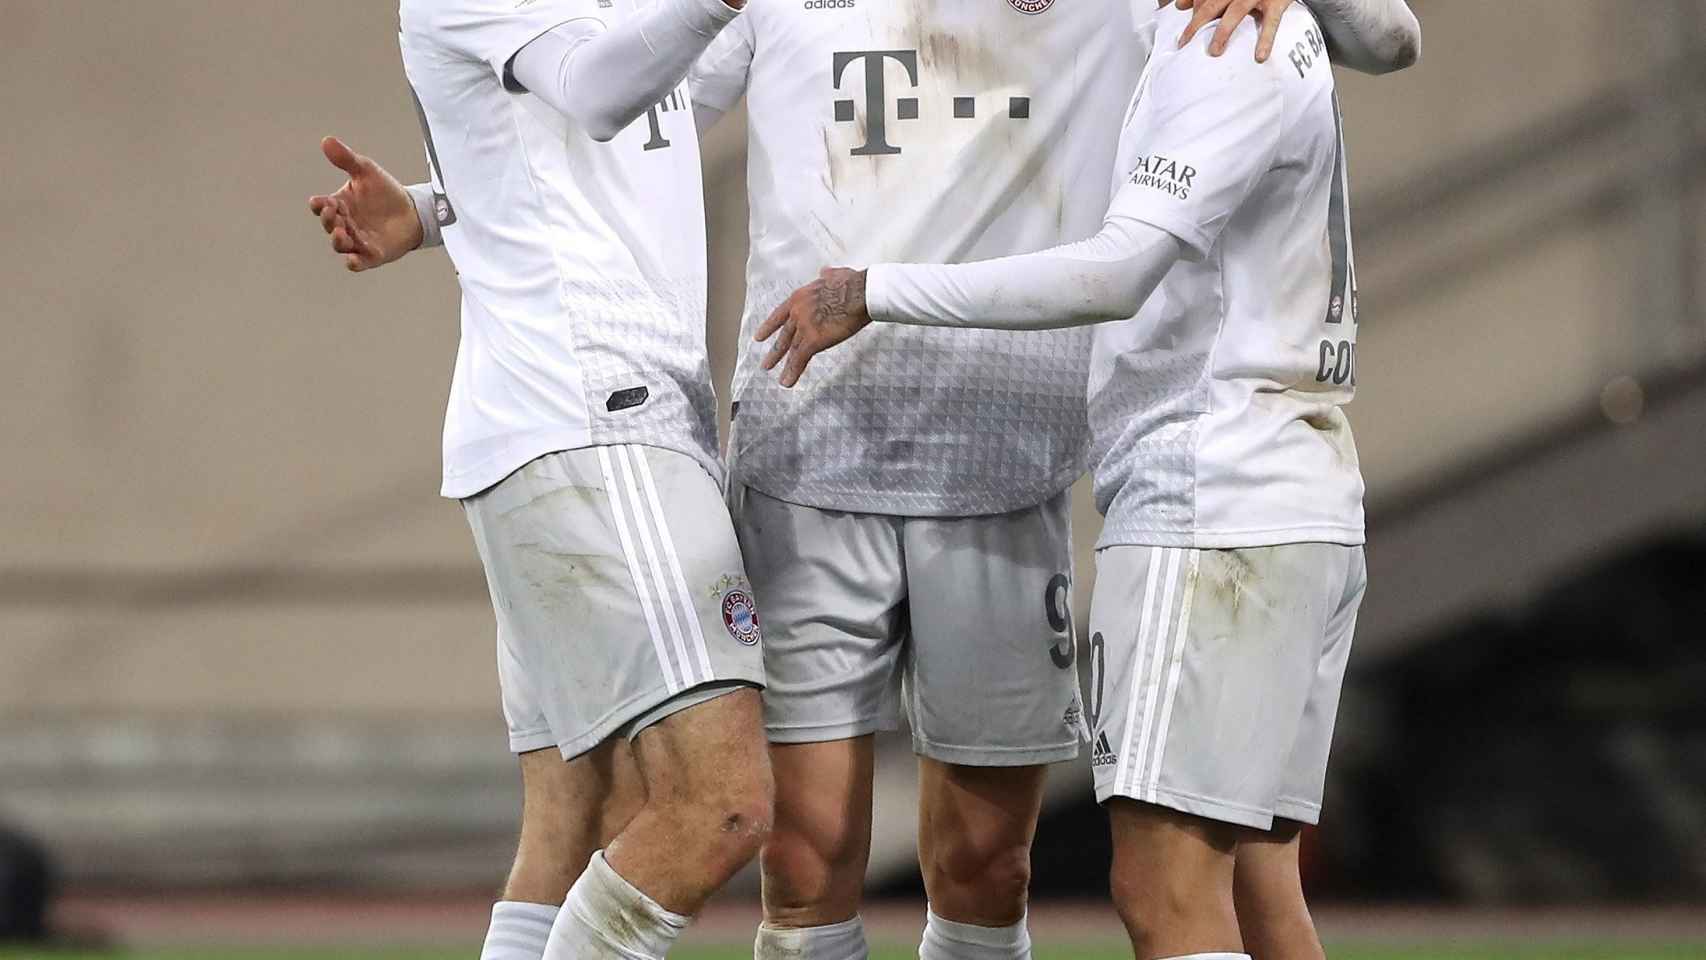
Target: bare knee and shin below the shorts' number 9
x=975 y=833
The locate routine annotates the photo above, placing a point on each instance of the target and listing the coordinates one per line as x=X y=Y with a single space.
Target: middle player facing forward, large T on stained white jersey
x=891 y=526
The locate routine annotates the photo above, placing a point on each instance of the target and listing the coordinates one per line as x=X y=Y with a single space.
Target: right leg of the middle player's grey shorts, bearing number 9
x=992 y=678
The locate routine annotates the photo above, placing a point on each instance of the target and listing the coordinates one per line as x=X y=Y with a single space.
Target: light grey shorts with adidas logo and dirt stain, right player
x=1216 y=676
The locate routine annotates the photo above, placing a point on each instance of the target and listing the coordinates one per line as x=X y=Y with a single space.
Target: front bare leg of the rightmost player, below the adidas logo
x=1173 y=881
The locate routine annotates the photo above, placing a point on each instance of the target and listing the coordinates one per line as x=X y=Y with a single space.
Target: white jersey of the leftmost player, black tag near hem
x=583 y=263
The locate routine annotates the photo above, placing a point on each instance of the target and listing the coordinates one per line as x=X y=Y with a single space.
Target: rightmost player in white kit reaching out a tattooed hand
x=1231 y=567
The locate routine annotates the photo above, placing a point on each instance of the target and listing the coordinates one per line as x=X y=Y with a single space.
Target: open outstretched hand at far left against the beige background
x=371 y=219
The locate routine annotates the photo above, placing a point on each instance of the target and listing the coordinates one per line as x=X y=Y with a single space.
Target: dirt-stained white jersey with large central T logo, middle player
x=924 y=132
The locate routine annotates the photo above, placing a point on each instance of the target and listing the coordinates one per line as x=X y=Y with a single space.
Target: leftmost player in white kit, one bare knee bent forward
x=581 y=439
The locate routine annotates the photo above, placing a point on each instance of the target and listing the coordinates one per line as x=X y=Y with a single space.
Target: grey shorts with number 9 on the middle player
x=966 y=622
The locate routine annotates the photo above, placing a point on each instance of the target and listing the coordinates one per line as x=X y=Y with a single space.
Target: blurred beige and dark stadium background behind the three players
x=247 y=688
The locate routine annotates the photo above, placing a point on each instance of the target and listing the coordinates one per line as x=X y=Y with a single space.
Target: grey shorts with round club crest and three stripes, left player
x=618 y=591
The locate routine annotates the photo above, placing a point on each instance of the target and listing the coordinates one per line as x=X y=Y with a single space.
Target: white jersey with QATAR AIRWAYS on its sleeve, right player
x=1217 y=410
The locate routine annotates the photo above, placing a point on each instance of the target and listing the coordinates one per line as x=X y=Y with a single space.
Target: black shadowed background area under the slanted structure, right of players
x=1550 y=758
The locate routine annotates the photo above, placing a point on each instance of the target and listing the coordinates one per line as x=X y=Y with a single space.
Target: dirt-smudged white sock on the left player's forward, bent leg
x=606 y=918
